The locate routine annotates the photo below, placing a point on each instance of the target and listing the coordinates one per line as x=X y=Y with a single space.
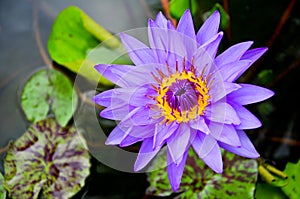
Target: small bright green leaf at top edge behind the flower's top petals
x=177 y=7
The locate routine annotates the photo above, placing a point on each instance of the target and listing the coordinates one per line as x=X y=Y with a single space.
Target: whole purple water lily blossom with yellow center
x=180 y=94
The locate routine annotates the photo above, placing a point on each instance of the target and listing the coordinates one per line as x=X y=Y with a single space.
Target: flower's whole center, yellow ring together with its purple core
x=182 y=96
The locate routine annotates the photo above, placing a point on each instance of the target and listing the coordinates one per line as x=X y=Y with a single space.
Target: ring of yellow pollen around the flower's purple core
x=170 y=114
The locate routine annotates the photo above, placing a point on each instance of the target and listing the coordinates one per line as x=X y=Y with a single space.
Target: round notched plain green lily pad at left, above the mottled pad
x=45 y=89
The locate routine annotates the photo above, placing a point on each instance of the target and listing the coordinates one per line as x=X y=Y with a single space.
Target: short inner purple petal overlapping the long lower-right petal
x=225 y=133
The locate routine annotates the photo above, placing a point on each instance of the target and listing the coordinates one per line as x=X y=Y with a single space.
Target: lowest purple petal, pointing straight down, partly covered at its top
x=175 y=171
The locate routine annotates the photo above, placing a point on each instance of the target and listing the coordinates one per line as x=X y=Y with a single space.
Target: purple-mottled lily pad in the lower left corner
x=47 y=160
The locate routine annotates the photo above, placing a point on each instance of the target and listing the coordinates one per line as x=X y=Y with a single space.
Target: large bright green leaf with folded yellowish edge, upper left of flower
x=74 y=34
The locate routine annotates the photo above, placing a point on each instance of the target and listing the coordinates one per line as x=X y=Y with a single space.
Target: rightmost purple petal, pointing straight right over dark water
x=249 y=94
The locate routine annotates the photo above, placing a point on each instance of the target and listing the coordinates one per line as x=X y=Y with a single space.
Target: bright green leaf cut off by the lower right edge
x=292 y=189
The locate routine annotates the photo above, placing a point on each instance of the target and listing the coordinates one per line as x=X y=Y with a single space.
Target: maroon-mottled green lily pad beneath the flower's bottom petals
x=198 y=181
